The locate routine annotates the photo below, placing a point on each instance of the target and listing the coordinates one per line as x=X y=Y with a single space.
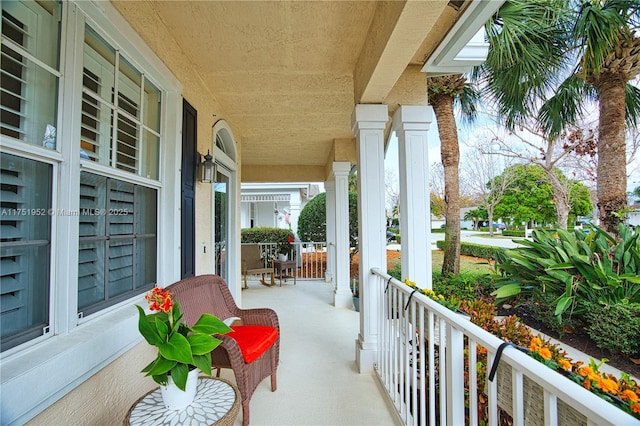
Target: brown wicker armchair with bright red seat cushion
x=210 y=294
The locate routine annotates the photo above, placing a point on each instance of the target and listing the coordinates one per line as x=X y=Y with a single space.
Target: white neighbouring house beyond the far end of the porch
x=276 y=205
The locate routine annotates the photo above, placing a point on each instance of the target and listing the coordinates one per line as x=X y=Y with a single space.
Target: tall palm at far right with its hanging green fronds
x=593 y=51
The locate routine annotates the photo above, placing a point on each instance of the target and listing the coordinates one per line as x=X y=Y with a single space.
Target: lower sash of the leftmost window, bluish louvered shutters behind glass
x=25 y=198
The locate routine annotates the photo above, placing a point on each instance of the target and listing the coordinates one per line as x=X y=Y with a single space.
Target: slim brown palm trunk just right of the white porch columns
x=450 y=155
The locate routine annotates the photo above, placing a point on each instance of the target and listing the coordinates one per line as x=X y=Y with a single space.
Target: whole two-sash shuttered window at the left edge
x=28 y=116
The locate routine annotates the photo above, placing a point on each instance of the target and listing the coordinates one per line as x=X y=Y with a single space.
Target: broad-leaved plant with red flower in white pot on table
x=183 y=351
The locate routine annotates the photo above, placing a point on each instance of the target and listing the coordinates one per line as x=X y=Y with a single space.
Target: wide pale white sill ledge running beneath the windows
x=34 y=379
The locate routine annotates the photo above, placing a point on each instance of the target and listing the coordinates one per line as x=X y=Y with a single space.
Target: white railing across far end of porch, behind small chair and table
x=311 y=257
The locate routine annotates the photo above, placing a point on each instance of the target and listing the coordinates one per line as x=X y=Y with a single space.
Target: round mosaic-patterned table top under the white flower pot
x=217 y=402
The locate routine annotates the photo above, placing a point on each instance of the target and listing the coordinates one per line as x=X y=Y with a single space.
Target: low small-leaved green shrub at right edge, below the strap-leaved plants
x=615 y=327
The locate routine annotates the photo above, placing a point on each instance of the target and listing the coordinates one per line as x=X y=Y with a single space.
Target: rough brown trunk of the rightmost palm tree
x=612 y=159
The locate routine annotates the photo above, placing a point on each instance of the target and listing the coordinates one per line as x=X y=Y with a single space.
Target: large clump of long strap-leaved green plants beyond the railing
x=573 y=268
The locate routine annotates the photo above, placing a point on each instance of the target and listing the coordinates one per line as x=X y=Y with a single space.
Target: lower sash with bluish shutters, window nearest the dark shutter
x=117 y=252
